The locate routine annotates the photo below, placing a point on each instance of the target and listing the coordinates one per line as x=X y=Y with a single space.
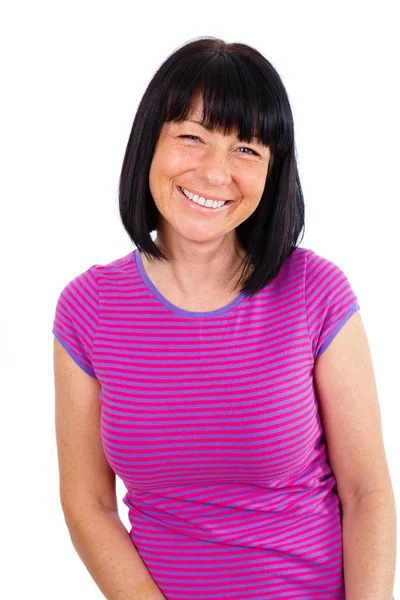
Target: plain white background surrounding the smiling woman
x=72 y=76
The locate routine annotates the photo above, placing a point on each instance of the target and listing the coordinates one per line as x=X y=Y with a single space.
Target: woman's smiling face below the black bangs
x=210 y=165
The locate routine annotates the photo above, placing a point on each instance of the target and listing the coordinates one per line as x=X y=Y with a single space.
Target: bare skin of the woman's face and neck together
x=203 y=248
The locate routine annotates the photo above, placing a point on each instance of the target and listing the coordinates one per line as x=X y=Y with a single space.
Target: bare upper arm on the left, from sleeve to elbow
x=85 y=474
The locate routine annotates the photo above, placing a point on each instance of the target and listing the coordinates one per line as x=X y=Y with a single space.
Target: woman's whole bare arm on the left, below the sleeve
x=87 y=488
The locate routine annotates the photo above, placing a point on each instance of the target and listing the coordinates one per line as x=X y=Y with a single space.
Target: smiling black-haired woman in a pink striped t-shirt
x=241 y=413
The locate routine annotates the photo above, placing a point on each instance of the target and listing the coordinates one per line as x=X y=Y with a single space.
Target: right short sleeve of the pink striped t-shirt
x=330 y=301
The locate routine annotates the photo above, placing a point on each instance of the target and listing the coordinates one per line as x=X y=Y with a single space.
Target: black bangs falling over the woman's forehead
x=231 y=90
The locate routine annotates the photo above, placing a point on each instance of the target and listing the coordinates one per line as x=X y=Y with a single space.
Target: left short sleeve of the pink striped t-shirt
x=76 y=317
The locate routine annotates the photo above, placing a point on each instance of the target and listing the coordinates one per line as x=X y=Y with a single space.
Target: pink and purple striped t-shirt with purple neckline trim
x=211 y=421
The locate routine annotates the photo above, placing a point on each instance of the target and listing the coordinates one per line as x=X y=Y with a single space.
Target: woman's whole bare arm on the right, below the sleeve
x=347 y=396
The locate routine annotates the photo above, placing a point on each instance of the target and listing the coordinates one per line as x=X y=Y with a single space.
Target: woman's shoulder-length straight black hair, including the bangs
x=241 y=90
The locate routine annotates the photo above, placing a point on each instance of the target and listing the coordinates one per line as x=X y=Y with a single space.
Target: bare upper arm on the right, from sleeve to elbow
x=347 y=396
